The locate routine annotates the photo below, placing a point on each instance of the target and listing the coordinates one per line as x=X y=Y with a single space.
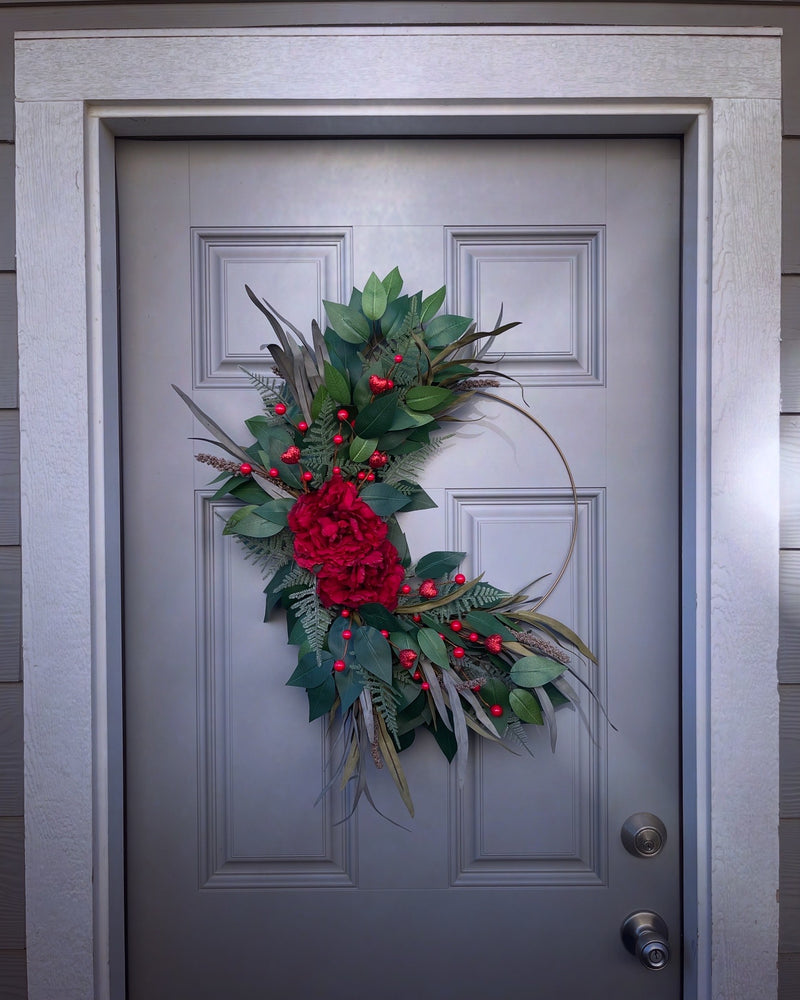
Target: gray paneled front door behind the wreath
x=238 y=885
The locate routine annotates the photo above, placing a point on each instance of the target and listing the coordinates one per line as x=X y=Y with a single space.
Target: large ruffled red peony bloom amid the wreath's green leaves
x=340 y=538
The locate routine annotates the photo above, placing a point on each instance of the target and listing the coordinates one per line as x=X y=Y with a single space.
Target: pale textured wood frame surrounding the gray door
x=718 y=88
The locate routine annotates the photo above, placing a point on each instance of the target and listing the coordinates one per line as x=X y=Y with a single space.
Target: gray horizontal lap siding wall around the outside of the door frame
x=31 y=16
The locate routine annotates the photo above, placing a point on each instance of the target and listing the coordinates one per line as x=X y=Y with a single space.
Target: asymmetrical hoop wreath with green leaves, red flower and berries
x=386 y=645
